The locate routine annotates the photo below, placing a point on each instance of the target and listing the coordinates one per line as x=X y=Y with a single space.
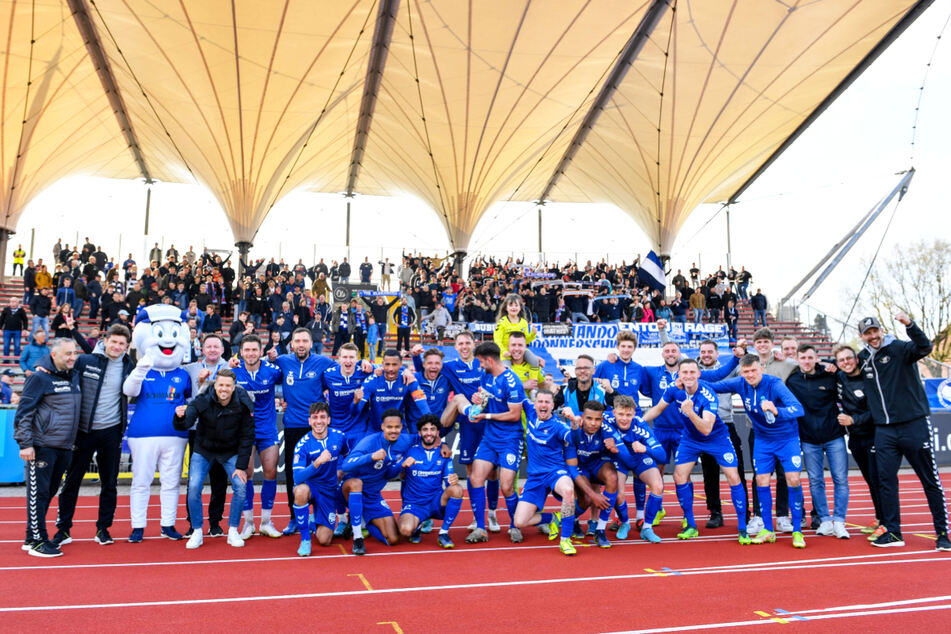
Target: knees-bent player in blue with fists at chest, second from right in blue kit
x=703 y=432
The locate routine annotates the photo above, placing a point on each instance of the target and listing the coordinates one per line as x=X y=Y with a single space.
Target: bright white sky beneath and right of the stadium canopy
x=788 y=219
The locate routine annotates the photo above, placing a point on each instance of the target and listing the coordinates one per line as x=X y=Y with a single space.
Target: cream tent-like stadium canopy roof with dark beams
x=655 y=106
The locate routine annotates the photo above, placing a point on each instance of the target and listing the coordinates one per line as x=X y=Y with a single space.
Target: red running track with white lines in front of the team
x=711 y=582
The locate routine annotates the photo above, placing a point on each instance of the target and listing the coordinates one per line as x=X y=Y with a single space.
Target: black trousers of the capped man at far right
x=913 y=441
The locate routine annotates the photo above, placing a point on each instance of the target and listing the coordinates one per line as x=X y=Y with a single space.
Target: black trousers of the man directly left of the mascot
x=106 y=444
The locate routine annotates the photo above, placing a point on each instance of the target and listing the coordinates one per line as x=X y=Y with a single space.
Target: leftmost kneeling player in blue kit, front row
x=315 y=469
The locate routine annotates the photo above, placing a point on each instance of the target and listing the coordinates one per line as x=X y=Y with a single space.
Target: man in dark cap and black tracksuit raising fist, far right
x=900 y=410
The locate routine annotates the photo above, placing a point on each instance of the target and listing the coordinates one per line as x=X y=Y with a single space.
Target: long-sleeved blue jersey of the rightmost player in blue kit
x=770 y=388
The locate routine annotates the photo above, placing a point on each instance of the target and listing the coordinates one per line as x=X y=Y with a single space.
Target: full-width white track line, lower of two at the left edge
x=764 y=566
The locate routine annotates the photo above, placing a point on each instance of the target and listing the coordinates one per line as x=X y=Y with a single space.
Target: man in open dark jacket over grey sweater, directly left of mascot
x=102 y=420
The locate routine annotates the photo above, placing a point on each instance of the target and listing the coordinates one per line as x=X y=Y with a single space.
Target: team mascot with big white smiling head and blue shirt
x=159 y=384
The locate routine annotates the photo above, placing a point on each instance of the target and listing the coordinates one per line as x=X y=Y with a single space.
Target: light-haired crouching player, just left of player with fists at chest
x=641 y=454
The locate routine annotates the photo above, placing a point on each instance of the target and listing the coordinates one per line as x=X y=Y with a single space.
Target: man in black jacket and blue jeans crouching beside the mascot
x=224 y=434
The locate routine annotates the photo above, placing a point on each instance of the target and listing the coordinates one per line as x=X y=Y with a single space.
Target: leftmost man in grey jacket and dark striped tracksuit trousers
x=45 y=427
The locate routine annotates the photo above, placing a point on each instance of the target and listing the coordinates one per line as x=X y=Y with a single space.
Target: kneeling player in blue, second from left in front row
x=375 y=459
